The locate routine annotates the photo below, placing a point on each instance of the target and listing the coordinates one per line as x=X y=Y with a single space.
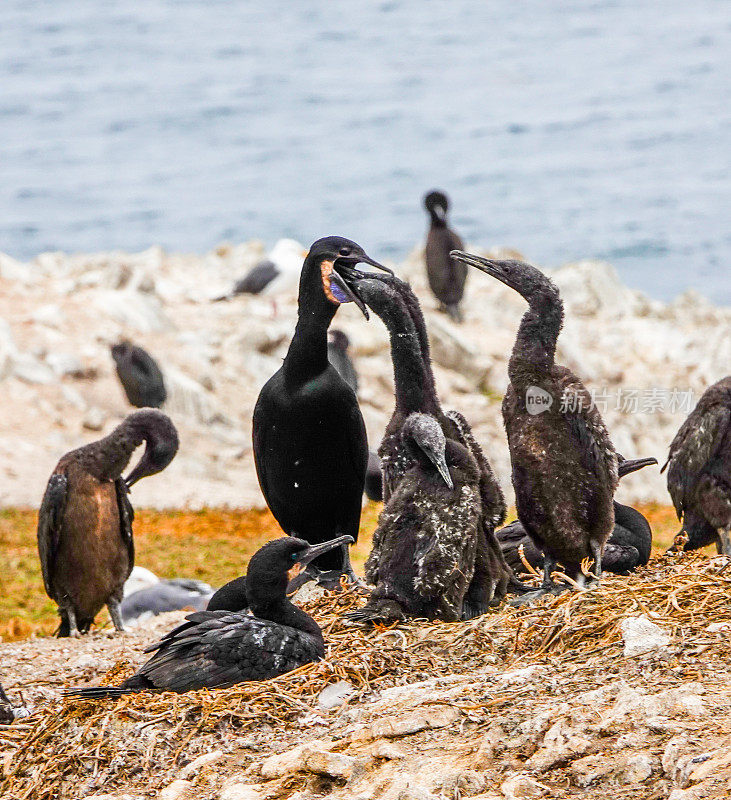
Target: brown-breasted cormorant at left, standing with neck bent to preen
x=85 y=520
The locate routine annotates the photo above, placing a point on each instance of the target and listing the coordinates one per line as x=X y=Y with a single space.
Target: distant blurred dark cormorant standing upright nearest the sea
x=446 y=276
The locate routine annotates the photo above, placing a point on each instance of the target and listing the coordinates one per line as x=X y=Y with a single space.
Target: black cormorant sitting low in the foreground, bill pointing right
x=216 y=649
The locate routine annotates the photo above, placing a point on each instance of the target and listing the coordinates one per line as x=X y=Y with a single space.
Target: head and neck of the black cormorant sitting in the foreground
x=267 y=573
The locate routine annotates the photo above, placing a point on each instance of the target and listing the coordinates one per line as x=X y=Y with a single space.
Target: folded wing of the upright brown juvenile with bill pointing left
x=586 y=425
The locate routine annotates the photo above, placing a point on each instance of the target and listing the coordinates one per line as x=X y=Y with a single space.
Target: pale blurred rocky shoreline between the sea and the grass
x=647 y=362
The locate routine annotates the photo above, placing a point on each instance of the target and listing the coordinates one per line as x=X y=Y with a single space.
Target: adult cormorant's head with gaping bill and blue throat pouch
x=336 y=259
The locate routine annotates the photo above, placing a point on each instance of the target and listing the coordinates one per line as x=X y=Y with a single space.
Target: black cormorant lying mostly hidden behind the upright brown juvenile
x=627 y=548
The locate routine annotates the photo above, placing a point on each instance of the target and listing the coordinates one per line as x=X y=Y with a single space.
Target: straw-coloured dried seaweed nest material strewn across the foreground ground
x=682 y=593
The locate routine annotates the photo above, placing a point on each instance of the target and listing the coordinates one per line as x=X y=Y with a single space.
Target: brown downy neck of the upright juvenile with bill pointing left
x=534 y=351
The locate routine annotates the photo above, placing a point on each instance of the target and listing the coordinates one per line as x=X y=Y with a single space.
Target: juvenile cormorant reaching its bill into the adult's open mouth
x=415 y=391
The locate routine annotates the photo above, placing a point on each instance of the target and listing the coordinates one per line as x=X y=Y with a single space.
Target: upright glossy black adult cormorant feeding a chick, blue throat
x=310 y=446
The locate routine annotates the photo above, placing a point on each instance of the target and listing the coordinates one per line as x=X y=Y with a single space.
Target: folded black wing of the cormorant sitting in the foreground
x=222 y=648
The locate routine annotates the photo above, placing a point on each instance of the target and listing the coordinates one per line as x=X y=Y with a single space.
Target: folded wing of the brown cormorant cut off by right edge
x=694 y=445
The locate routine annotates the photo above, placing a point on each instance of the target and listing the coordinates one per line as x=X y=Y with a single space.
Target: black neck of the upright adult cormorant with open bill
x=307 y=354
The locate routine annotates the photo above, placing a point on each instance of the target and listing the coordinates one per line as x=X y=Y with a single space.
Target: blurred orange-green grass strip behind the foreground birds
x=212 y=545
